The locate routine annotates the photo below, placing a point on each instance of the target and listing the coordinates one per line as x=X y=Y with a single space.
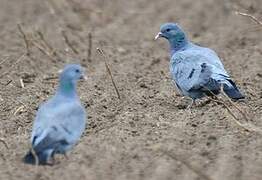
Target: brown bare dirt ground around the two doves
x=148 y=134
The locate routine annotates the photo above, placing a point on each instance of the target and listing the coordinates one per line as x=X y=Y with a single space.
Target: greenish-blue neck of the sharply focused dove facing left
x=178 y=43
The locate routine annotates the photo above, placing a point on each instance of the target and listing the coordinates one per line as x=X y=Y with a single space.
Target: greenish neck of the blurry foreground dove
x=67 y=89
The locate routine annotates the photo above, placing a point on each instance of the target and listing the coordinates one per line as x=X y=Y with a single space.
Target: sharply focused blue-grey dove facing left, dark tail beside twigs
x=197 y=71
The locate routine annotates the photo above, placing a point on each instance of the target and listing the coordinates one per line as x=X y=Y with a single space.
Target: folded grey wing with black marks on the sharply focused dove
x=191 y=70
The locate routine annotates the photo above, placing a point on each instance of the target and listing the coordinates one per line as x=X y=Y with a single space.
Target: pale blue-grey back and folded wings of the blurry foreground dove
x=62 y=125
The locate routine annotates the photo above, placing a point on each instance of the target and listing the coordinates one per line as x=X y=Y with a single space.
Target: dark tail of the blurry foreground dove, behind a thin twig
x=39 y=158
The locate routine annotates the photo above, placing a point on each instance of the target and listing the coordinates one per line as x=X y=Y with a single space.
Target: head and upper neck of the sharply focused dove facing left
x=174 y=34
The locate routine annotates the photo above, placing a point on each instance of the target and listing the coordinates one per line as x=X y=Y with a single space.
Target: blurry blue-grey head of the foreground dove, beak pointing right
x=72 y=73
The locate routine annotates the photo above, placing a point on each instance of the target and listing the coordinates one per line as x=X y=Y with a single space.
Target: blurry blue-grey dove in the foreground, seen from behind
x=60 y=121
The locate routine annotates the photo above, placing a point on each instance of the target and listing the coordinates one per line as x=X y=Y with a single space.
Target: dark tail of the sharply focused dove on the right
x=232 y=91
